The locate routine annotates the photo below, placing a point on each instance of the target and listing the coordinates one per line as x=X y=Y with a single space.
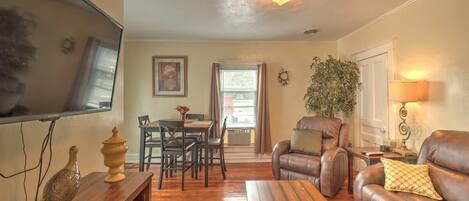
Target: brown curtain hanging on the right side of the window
x=263 y=142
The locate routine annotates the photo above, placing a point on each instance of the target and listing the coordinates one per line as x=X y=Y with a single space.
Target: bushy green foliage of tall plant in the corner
x=333 y=87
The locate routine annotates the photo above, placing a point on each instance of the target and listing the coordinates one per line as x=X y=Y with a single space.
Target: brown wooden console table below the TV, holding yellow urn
x=135 y=187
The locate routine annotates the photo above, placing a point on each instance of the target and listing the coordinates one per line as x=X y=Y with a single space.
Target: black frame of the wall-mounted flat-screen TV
x=52 y=116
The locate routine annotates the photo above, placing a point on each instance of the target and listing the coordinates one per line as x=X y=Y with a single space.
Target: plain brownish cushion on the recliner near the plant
x=306 y=141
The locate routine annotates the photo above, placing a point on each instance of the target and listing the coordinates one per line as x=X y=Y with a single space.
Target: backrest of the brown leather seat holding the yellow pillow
x=446 y=153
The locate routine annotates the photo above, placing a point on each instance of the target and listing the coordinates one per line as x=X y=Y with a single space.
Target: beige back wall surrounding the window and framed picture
x=286 y=103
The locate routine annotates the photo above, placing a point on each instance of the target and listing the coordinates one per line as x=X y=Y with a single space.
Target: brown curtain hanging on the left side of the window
x=215 y=112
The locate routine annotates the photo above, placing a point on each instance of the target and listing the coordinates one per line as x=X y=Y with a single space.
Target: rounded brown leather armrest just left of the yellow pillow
x=370 y=175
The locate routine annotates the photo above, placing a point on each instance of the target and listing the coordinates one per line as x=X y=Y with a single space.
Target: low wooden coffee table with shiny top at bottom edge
x=283 y=190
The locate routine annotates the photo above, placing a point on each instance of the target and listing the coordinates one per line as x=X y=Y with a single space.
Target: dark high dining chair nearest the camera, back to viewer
x=174 y=147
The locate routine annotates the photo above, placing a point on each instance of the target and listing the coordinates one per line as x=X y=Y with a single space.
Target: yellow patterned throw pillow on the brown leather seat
x=403 y=177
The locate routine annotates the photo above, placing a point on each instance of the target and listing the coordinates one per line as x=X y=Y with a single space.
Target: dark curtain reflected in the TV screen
x=77 y=99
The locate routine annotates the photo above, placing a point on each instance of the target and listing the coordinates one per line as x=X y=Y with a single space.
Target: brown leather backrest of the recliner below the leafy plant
x=335 y=134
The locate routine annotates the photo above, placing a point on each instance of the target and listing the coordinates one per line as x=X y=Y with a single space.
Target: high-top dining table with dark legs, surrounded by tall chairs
x=190 y=127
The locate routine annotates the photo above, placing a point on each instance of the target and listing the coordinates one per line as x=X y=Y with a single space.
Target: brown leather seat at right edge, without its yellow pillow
x=446 y=153
